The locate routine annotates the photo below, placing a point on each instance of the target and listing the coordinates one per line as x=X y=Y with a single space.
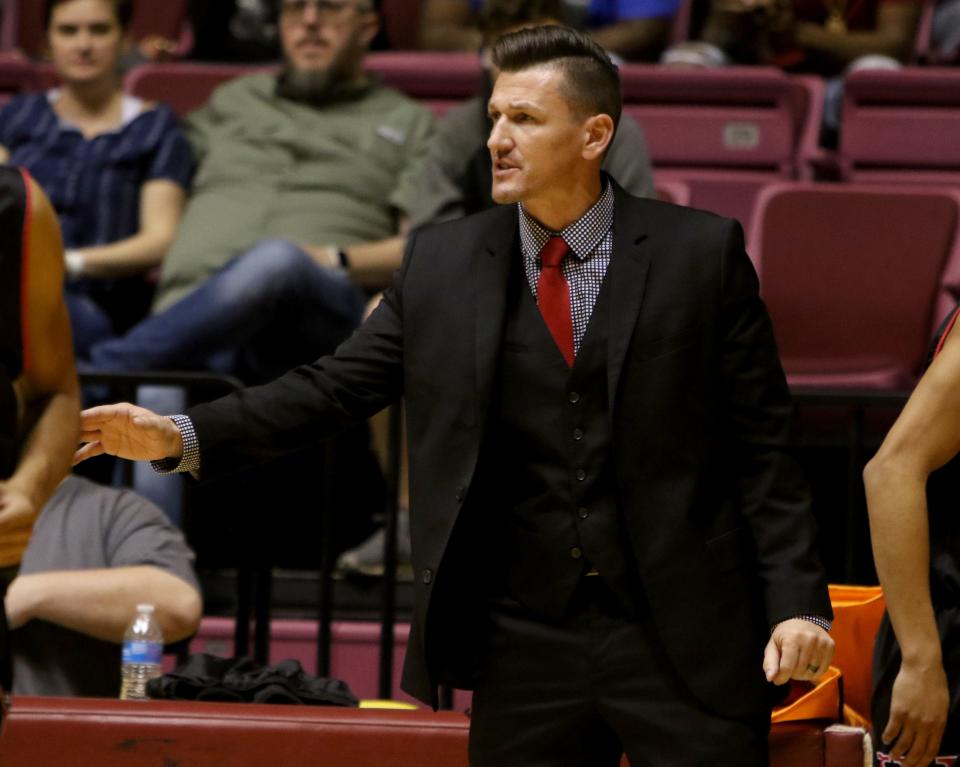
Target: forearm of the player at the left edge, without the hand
x=47 y=454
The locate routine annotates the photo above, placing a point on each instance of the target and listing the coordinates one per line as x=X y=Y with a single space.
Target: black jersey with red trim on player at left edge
x=13 y=200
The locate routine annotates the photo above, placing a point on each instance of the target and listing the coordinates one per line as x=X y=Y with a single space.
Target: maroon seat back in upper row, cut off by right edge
x=901 y=126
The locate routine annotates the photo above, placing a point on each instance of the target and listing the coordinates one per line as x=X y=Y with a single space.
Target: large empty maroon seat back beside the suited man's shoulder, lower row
x=852 y=276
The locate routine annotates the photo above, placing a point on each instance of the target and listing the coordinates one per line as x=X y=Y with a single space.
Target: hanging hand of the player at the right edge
x=918 y=713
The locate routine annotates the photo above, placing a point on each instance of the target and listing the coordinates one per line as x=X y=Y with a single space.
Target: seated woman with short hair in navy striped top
x=115 y=168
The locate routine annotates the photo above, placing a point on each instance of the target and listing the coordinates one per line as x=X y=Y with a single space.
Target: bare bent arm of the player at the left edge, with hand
x=47 y=391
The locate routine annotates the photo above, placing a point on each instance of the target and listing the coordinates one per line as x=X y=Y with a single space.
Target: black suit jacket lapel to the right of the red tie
x=627 y=274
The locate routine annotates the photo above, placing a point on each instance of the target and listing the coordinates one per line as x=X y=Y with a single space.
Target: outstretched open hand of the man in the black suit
x=127 y=431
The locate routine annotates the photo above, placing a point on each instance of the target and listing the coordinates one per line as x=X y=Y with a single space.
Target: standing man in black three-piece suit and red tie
x=611 y=546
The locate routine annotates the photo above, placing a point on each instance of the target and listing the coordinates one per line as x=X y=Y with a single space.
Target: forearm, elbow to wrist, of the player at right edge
x=896 y=500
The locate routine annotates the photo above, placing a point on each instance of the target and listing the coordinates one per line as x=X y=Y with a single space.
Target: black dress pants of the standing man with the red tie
x=582 y=691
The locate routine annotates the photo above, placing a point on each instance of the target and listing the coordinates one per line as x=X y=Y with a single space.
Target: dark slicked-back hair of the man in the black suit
x=591 y=80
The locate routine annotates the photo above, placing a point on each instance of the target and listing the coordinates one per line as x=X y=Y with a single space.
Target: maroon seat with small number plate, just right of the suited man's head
x=725 y=132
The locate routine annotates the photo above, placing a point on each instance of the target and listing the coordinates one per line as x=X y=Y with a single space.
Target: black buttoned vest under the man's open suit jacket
x=549 y=495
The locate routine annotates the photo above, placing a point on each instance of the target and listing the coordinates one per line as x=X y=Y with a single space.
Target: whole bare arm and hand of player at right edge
x=924 y=437
